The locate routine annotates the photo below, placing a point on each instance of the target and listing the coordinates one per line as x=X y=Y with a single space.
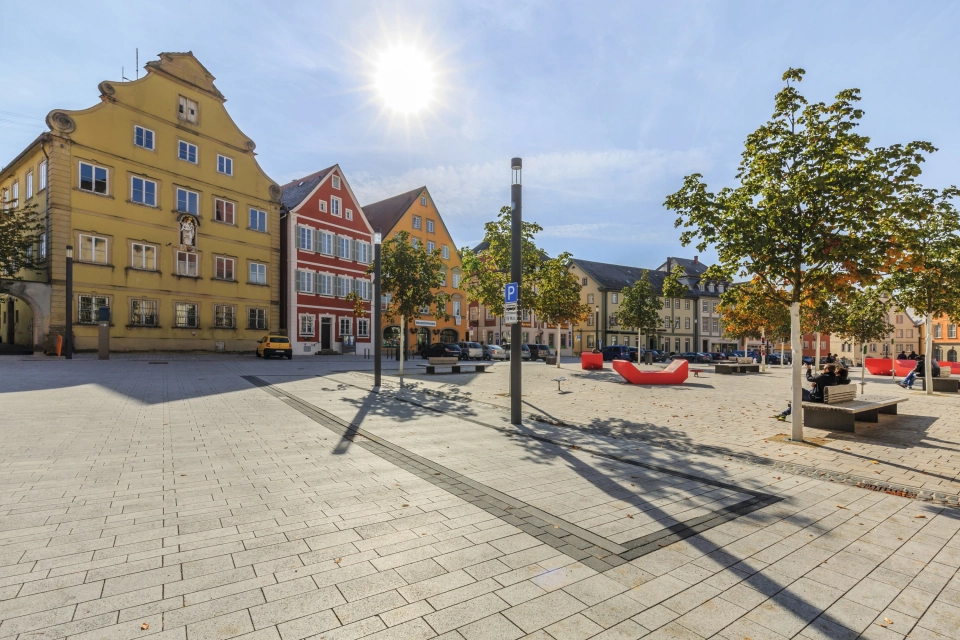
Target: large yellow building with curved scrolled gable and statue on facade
x=174 y=225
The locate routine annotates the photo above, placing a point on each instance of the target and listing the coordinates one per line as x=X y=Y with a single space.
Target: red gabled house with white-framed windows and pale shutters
x=325 y=248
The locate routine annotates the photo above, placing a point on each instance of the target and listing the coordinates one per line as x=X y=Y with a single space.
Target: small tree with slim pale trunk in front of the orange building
x=410 y=276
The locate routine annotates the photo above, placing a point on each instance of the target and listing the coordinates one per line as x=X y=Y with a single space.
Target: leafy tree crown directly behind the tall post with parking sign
x=485 y=274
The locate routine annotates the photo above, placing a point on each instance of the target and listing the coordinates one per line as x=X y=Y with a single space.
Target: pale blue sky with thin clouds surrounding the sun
x=610 y=104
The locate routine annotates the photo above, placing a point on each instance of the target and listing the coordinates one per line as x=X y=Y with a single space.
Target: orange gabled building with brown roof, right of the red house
x=416 y=213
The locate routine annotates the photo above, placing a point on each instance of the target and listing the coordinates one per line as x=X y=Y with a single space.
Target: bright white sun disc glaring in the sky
x=404 y=78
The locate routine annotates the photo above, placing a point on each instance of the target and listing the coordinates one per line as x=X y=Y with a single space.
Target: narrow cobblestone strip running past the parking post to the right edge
x=862 y=482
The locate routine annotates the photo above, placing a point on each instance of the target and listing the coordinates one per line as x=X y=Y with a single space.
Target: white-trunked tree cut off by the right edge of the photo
x=926 y=276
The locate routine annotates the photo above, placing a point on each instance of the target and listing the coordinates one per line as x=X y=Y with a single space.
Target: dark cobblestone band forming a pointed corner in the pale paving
x=584 y=546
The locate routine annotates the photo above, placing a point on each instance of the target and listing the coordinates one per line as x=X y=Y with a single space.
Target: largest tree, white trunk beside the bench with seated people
x=808 y=214
